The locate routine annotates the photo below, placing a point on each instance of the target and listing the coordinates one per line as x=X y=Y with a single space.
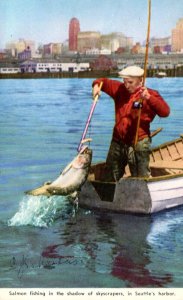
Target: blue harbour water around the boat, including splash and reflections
x=44 y=242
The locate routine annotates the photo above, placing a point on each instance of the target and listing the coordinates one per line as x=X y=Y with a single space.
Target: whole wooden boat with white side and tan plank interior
x=139 y=195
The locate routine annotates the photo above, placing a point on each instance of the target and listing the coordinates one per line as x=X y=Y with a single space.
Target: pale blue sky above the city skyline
x=46 y=21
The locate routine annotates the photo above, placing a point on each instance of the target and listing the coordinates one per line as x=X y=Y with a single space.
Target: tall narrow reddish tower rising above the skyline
x=74 y=29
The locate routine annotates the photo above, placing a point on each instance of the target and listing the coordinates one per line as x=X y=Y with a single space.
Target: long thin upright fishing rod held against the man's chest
x=145 y=69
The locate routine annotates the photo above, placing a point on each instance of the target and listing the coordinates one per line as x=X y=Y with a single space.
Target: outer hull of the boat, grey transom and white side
x=133 y=195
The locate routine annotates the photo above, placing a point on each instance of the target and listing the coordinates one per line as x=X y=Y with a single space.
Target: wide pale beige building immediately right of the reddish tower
x=88 y=40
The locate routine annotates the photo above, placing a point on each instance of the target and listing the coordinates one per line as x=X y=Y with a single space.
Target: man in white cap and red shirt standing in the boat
x=127 y=102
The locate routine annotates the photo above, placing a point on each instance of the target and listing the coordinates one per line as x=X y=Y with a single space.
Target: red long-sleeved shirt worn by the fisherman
x=125 y=113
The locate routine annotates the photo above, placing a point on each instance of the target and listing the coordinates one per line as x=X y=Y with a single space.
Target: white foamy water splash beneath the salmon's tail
x=39 y=211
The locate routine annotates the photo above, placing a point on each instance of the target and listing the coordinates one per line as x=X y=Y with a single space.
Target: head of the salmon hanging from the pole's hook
x=83 y=159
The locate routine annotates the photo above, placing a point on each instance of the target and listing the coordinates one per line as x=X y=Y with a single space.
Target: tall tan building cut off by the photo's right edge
x=177 y=37
